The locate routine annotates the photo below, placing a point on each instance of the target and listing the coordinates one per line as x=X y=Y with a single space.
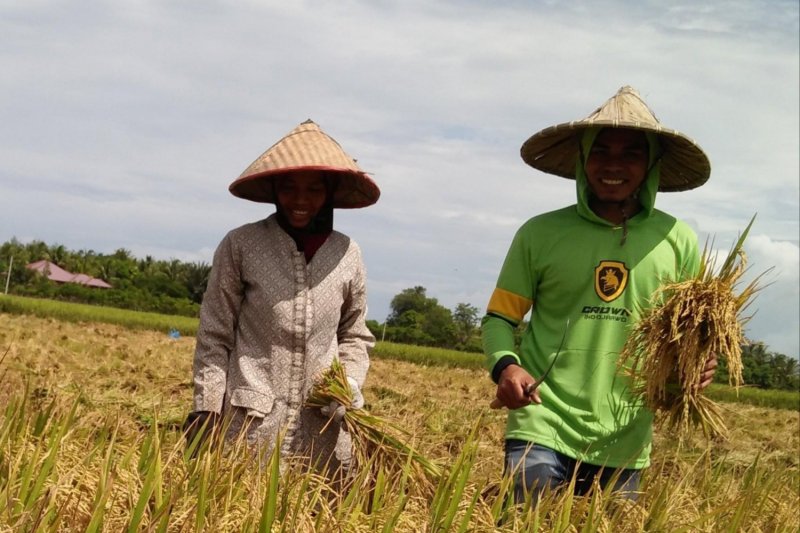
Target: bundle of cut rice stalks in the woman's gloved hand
x=377 y=444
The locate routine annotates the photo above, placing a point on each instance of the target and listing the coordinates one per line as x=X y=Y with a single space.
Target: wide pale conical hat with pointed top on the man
x=555 y=150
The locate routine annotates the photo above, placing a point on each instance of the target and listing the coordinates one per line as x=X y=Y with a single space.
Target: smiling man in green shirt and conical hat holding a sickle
x=585 y=272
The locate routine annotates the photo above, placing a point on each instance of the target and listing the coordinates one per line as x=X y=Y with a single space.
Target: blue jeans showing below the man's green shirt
x=537 y=468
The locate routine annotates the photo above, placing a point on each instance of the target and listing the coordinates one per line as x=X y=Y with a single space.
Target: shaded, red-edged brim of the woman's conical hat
x=354 y=189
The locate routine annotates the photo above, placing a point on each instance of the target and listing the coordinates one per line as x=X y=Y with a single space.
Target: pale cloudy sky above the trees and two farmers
x=123 y=122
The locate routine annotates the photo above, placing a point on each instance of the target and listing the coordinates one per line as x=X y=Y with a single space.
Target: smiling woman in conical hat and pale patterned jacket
x=285 y=297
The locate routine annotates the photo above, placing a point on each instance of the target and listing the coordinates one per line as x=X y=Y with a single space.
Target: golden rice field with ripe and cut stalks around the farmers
x=90 y=440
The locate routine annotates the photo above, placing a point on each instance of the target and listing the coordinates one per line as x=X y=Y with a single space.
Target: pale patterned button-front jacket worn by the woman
x=270 y=324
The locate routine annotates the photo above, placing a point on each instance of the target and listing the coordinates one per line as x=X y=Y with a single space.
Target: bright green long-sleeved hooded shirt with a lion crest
x=575 y=273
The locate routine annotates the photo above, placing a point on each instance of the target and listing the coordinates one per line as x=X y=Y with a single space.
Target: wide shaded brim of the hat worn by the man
x=555 y=150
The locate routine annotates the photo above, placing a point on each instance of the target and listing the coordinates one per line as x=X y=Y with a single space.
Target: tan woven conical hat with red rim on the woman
x=307 y=147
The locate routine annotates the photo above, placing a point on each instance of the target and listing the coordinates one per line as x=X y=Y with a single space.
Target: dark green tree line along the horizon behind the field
x=176 y=287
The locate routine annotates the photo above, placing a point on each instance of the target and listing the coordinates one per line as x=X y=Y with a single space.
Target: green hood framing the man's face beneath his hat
x=647 y=191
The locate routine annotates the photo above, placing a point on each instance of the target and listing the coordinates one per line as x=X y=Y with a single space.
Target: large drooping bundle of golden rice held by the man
x=687 y=322
